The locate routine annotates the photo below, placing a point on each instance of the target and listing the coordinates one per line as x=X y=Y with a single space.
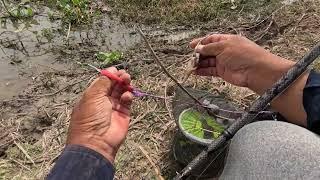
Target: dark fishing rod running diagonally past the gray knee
x=260 y=104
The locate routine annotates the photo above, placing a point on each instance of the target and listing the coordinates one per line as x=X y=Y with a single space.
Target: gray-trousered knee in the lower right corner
x=273 y=150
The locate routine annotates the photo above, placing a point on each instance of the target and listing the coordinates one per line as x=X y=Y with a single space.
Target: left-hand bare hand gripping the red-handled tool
x=100 y=120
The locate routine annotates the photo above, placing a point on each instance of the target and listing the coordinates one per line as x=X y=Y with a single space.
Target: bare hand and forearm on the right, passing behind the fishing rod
x=243 y=63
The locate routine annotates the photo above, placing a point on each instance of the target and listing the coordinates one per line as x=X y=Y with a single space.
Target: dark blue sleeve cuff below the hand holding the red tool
x=81 y=163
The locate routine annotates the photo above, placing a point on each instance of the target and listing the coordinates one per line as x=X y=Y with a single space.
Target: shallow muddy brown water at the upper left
x=29 y=48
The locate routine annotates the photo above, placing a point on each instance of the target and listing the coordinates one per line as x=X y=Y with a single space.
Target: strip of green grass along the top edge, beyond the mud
x=189 y=11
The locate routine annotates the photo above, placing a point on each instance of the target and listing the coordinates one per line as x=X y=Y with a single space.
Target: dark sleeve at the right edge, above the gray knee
x=311 y=101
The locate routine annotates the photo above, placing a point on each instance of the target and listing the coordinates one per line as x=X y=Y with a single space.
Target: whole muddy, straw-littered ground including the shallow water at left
x=41 y=77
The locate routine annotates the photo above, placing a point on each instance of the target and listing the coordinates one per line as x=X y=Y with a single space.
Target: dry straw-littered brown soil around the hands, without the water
x=33 y=123
